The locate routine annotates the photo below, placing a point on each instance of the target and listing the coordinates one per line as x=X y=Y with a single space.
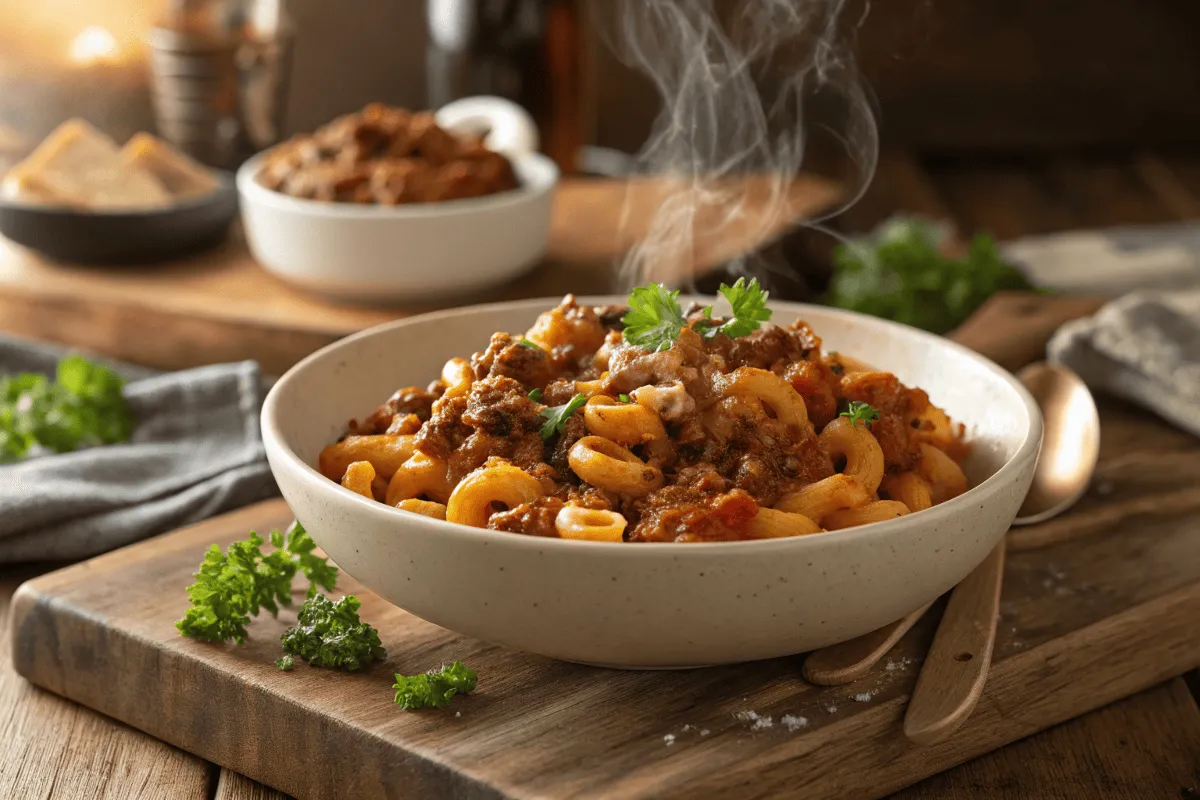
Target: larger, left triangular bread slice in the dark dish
x=80 y=166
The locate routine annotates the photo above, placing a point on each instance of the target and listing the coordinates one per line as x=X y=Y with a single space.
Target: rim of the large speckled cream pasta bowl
x=314 y=482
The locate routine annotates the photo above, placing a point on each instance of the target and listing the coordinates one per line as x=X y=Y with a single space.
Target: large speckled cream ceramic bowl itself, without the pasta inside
x=650 y=605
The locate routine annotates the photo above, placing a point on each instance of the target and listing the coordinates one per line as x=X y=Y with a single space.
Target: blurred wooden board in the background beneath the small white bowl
x=223 y=306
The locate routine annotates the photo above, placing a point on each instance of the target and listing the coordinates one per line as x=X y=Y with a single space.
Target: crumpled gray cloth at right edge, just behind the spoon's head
x=1145 y=348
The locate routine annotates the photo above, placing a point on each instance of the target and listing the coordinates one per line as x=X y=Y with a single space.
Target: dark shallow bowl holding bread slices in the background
x=123 y=237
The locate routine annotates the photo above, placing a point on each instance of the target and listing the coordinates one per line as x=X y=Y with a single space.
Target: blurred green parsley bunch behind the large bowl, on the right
x=899 y=273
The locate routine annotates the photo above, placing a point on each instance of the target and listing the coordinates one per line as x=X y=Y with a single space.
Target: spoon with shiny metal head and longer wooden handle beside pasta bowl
x=955 y=672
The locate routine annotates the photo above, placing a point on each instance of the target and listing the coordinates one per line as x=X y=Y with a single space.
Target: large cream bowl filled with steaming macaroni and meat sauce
x=653 y=482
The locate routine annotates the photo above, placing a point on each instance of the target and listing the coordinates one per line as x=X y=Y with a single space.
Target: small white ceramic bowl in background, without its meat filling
x=410 y=252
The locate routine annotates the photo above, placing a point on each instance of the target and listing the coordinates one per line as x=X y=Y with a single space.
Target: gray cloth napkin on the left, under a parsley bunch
x=196 y=453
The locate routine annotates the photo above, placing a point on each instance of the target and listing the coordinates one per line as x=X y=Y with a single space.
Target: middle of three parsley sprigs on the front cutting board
x=331 y=635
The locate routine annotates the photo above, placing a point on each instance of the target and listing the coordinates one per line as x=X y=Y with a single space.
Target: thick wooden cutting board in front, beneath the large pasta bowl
x=1097 y=605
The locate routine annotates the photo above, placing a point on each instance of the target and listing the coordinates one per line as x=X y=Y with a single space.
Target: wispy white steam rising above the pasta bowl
x=743 y=100
